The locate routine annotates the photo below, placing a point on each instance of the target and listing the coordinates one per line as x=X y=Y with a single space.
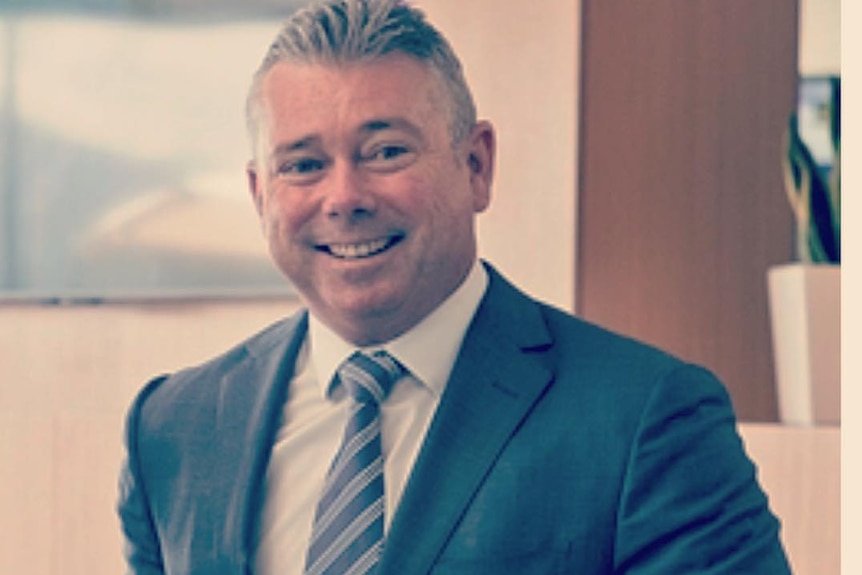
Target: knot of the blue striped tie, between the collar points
x=370 y=378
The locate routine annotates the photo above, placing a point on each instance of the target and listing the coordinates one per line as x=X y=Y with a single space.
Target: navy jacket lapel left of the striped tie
x=251 y=397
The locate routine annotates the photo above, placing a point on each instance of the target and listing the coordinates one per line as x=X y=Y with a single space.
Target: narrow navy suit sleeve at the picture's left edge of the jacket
x=141 y=548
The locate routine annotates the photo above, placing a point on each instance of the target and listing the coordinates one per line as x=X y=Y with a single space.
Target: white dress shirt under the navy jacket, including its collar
x=316 y=412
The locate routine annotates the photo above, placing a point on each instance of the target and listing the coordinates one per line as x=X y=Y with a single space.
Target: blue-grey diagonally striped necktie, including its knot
x=347 y=537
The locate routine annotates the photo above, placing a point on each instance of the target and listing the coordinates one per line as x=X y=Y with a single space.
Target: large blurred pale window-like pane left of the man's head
x=123 y=148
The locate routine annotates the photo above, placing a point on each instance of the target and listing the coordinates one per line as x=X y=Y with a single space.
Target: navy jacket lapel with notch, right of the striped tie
x=495 y=382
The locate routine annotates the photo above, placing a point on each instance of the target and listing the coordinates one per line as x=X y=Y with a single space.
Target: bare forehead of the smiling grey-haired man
x=302 y=99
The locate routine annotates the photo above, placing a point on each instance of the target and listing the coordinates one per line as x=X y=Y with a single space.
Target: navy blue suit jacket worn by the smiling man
x=557 y=447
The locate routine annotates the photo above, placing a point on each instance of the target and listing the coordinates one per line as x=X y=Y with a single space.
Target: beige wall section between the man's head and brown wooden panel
x=520 y=60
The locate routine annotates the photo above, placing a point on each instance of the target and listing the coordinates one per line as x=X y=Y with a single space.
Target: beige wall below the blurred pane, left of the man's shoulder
x=68 y=374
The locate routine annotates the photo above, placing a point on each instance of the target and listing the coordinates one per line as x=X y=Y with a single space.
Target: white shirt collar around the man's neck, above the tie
x=428 y=350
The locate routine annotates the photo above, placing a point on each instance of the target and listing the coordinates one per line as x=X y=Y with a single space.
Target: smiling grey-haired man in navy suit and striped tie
x=515 y=439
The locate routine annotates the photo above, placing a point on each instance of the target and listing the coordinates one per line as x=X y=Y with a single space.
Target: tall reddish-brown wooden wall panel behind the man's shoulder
x=681 y=204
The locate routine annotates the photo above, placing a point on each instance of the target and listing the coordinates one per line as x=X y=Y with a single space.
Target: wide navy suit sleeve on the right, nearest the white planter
x=691 y=502
